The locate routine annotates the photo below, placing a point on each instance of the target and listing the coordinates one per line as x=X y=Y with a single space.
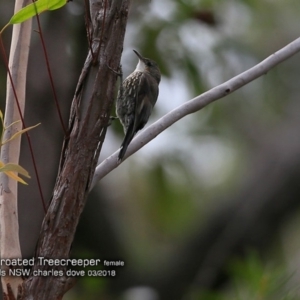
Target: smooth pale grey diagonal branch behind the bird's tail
x=196 y=104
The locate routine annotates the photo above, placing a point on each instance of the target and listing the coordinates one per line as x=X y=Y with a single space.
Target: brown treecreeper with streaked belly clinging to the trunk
x=136 y=99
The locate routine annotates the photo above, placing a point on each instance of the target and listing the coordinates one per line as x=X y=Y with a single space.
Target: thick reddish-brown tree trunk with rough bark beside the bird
x=88 y=121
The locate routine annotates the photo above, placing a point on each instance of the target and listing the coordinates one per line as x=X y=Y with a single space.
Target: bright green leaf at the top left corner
x=34 y=8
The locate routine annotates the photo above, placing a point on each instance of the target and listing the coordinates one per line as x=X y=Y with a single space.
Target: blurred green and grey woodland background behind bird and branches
x=210 y=208
